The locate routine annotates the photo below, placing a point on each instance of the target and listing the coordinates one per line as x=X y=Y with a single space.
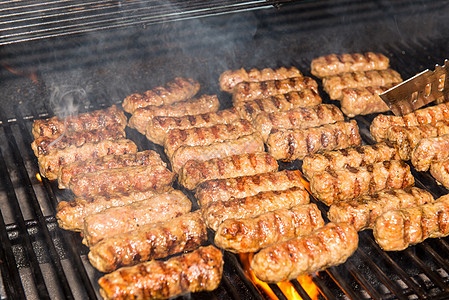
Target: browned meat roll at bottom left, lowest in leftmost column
x=200 y=270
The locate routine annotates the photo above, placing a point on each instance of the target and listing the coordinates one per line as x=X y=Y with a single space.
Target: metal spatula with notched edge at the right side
x=419 y=90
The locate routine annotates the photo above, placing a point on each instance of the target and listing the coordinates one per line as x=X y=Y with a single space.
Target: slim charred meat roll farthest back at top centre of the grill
x=230 y=78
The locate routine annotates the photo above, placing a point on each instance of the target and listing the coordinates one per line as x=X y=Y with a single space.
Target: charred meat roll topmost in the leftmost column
x=82 y=122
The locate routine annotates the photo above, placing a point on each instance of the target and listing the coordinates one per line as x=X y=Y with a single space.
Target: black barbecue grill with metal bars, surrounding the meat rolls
x=66 y=56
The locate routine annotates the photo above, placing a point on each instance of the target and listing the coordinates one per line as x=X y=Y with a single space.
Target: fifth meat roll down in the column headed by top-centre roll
x=291 y=144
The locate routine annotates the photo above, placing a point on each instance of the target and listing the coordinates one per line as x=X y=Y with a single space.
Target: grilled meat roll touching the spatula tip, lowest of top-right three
x=363 y=100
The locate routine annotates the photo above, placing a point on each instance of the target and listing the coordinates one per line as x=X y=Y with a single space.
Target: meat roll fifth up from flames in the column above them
x=194 y=172
